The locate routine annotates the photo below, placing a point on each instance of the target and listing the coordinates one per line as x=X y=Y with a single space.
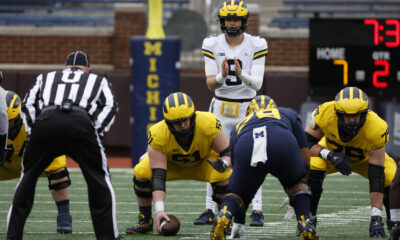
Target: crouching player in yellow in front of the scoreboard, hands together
x=345 y=136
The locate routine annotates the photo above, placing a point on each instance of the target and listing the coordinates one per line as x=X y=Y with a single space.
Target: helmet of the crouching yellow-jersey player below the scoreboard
x=350 y=101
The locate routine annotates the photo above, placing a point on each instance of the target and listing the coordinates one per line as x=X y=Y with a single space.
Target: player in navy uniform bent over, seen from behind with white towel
x=268 y=140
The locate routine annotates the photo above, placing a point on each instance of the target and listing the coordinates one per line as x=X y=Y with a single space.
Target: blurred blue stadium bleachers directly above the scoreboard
x=296 y=13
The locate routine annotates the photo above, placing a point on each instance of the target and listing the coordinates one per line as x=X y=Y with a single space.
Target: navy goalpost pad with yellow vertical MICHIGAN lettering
x=155 y=75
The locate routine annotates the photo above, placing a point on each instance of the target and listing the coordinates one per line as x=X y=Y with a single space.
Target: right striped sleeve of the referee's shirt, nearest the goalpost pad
x=106 y=116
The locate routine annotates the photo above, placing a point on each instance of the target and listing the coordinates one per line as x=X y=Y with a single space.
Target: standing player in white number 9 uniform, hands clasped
x=234 y=67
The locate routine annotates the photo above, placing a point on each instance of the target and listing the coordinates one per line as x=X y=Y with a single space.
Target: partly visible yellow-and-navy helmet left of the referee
x=13 y=110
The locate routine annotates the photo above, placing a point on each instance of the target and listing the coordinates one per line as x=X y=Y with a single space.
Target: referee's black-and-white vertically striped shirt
x=86 y=90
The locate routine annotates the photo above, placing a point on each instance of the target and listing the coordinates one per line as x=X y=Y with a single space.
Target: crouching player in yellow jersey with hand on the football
x=178 y=149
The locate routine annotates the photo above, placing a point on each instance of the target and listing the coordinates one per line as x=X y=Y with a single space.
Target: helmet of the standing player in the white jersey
x=233 y=9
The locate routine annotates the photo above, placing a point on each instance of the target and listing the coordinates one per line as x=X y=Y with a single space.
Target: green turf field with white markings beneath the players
x=344 y=211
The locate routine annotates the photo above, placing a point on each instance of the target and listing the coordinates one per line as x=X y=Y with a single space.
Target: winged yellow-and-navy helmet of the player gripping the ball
x=177 y=108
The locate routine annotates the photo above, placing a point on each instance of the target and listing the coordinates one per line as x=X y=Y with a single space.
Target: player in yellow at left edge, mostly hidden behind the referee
x=56 y=172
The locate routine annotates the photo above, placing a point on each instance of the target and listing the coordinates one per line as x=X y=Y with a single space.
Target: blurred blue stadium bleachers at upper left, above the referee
x=97 y=13
